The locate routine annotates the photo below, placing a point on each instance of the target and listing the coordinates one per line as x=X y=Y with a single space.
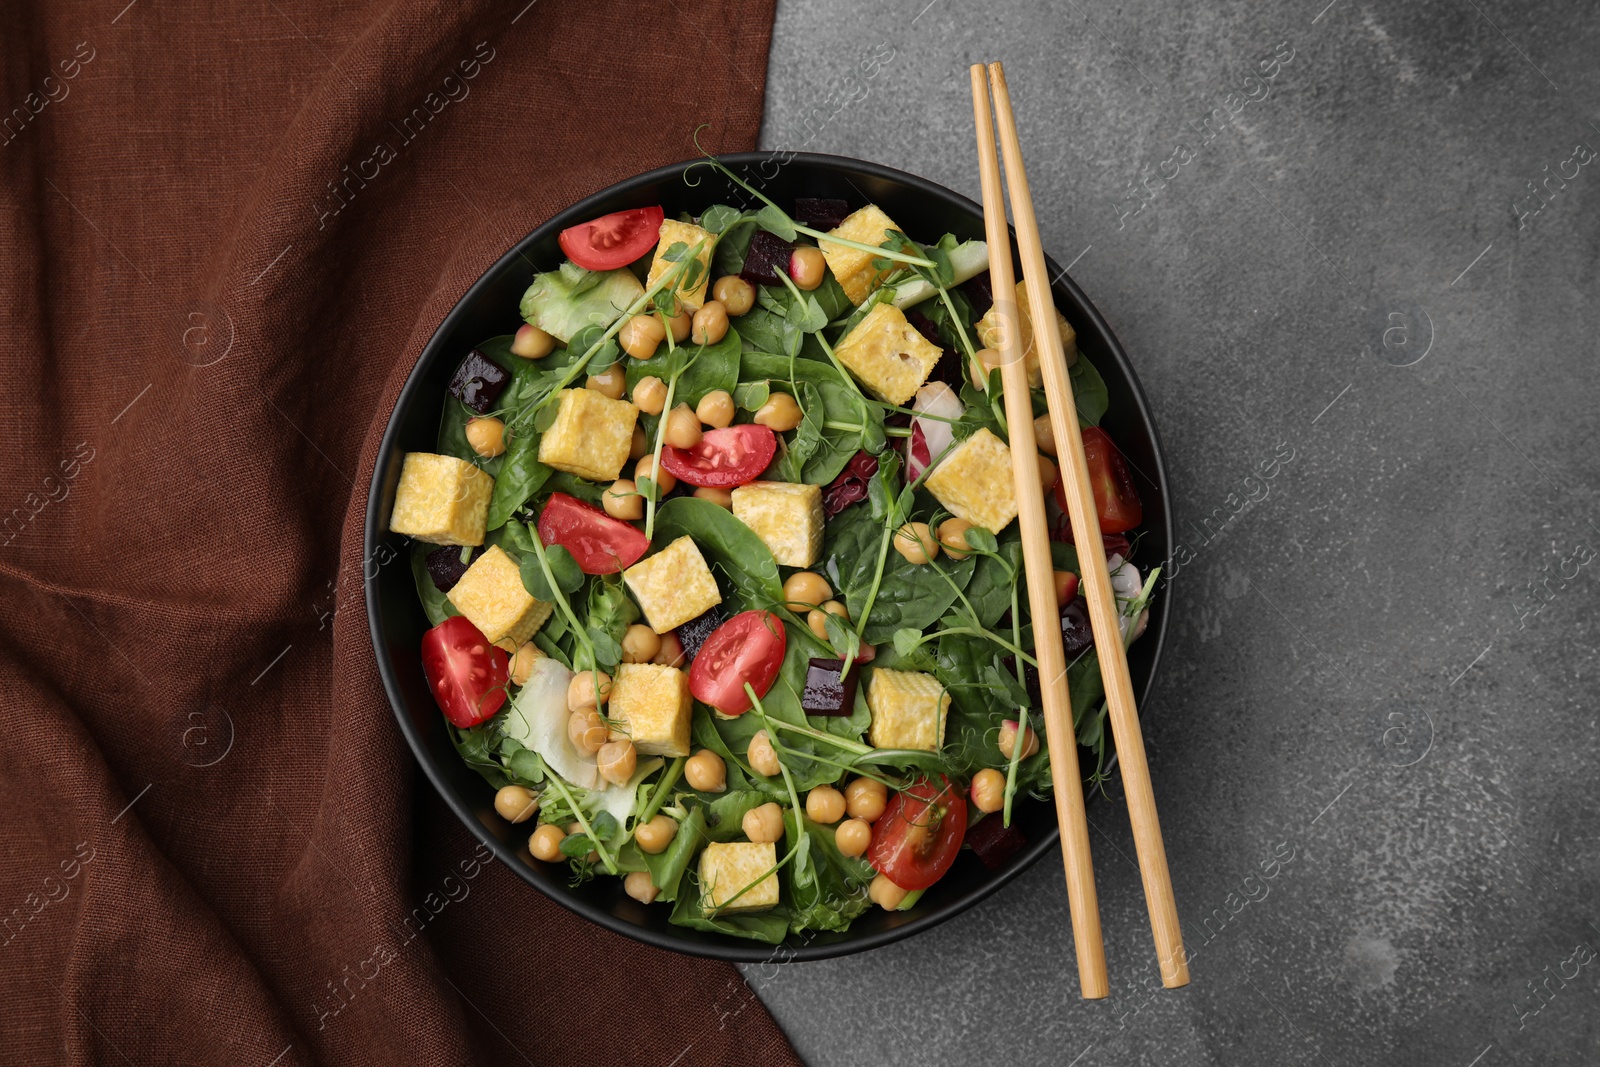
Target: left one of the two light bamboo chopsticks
x=1041 y=583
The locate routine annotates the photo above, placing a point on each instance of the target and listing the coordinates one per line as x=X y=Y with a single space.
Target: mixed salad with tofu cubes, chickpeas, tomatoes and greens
x=722 y=572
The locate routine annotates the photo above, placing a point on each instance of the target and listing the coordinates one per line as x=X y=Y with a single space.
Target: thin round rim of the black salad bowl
x=713 y=946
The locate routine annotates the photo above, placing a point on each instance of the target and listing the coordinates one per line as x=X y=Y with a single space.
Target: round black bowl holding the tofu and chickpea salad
x=490 y=308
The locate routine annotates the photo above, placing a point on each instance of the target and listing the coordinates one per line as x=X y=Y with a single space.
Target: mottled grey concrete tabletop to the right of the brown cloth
x=1382 y=684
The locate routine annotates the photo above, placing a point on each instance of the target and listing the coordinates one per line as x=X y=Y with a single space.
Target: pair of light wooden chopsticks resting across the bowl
x=1092 y=561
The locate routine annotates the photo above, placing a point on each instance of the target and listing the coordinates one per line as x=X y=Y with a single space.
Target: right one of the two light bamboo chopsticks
x=1092 y=553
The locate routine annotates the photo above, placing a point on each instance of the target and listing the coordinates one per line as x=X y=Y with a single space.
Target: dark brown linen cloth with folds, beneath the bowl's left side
x=226 y=236
